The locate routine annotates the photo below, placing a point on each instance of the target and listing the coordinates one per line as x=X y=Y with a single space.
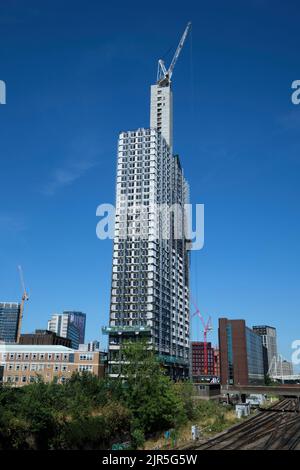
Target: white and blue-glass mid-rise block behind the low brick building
x=69 y=325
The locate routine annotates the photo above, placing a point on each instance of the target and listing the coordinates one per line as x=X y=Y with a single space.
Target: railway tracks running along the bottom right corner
x=276 y=428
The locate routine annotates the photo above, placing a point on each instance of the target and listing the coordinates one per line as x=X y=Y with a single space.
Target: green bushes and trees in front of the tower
x=91 y=413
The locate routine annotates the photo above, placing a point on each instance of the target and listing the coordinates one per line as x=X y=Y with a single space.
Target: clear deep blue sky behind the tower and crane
x=79 y=72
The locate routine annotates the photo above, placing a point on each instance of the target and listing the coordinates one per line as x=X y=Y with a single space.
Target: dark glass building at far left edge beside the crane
x=9 y=317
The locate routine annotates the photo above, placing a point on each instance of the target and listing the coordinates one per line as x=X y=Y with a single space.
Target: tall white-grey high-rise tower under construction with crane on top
x=150 y=276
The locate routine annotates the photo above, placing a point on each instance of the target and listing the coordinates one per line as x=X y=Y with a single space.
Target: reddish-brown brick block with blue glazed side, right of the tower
x=241 y=354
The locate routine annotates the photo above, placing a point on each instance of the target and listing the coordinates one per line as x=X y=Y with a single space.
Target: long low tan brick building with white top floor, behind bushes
x=23 y=364
